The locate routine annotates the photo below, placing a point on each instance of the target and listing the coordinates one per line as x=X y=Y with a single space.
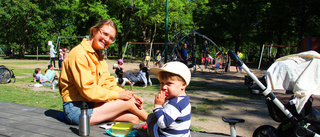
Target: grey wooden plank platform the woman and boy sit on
x=18 y=120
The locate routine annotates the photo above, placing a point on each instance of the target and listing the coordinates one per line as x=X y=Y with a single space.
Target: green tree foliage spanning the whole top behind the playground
x=234 y=24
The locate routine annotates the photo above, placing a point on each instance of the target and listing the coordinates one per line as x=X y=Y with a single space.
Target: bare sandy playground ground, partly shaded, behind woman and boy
x=253 y=111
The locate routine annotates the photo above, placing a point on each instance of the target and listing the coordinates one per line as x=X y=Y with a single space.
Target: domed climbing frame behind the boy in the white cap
x=201 y=50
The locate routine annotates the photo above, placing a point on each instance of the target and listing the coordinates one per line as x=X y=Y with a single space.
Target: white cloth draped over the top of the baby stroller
x=299 y=73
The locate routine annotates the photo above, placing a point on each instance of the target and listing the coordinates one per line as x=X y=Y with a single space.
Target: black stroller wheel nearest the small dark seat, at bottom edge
x=265 y=131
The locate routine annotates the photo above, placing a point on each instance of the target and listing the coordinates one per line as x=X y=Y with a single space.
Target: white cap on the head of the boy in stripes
x=175 y=67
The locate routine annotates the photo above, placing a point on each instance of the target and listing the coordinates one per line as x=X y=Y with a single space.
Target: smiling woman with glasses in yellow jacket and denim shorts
x=85 y=77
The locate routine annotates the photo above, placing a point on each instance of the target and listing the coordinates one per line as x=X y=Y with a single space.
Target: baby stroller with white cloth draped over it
x=291 y=87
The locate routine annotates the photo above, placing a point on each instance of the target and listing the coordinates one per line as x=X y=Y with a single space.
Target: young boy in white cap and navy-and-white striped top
x=172 y=110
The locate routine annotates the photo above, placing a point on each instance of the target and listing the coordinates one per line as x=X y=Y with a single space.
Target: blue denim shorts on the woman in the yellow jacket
x=72 y=111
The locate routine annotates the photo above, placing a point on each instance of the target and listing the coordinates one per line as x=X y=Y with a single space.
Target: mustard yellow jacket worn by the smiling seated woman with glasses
x=85 y=77
